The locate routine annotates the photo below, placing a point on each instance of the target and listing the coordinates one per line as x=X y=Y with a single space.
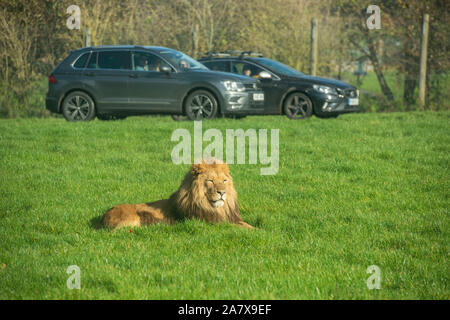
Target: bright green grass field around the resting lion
x=359 y=190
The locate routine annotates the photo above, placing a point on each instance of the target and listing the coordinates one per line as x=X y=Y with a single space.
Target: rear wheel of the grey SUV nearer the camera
x=78 y=106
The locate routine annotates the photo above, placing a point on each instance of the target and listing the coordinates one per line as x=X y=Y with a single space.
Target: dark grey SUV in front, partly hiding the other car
x=117 y=81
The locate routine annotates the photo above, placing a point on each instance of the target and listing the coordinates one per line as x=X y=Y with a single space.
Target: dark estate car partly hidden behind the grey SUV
x=287 y=90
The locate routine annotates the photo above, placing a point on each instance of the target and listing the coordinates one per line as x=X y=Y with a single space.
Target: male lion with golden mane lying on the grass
x=206 y=193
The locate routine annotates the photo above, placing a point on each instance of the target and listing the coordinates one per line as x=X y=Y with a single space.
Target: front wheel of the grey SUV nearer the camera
x=200 y=105
